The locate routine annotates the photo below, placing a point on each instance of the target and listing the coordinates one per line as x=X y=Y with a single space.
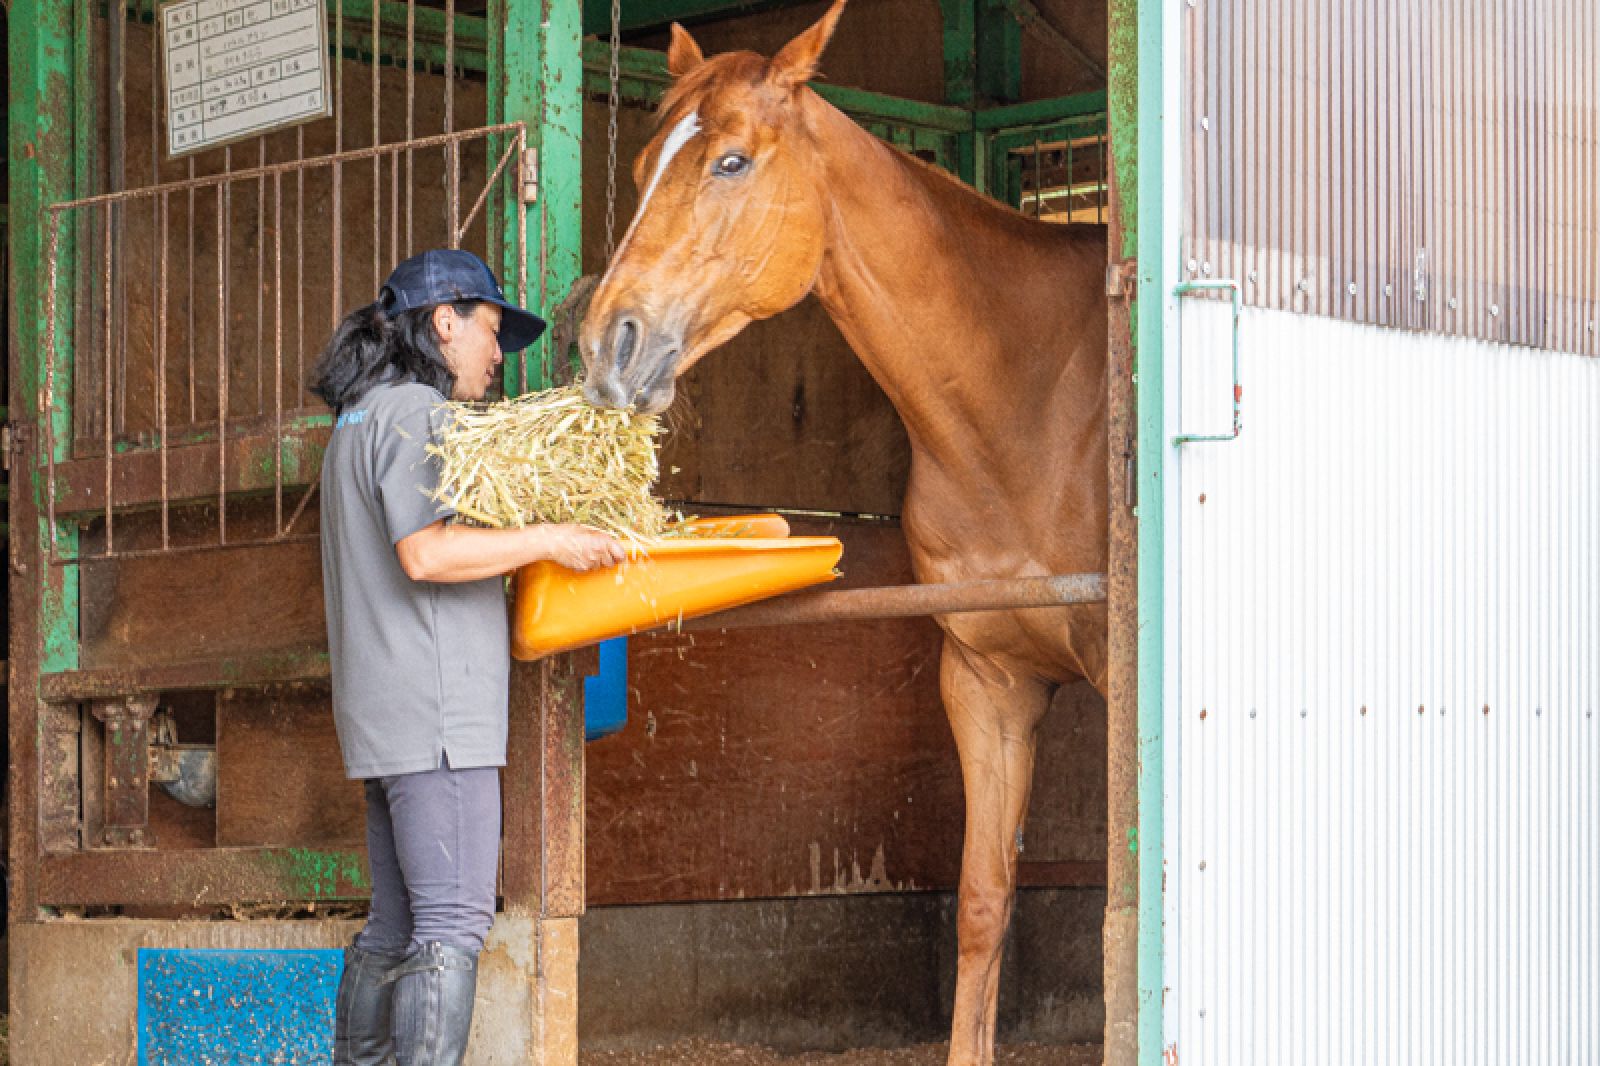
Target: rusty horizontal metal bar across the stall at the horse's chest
x=911 y=601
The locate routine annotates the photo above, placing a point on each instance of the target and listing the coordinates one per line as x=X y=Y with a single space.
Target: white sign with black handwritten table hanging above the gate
x=242 y=68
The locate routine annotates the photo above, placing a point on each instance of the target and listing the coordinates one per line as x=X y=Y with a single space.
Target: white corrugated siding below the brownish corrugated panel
x=1390 y=612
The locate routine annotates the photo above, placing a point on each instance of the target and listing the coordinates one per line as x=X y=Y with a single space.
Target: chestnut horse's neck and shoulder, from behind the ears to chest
x=946 y=299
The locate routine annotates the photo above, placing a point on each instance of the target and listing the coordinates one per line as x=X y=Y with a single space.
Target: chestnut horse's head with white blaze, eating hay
x=730 y=223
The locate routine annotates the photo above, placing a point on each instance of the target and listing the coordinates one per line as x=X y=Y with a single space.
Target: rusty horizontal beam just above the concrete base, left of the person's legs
x=202 y=878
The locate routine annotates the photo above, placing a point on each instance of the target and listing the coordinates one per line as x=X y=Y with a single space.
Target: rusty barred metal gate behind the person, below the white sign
x=210 y=404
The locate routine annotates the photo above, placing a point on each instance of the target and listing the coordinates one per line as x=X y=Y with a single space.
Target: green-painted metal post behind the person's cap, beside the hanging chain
x=540 y=84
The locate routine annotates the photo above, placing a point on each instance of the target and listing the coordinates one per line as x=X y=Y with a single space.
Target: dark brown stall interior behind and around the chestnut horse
x=774 y=840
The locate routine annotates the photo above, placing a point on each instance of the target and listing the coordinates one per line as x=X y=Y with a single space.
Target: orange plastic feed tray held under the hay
x=559 y=609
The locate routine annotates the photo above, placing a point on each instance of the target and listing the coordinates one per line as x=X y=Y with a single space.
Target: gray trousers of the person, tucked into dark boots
x=433 y=843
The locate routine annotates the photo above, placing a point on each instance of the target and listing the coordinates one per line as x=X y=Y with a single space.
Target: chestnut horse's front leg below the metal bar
x=994 y=716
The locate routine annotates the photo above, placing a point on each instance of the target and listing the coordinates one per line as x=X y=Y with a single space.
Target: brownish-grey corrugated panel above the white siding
x=1430 y=164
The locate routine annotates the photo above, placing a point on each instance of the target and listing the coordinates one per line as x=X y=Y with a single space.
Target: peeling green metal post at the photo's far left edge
x=44 y=170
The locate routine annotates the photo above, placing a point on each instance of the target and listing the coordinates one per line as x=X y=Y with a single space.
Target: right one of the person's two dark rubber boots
x=434 y=993
